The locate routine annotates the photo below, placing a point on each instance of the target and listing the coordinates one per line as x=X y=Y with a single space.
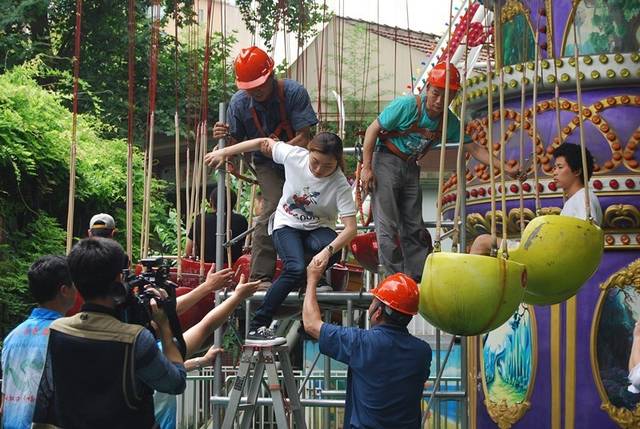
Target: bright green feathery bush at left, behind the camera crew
x=35 y=136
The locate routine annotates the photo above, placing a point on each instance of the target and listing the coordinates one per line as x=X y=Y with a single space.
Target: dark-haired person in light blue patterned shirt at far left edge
x=25 y=348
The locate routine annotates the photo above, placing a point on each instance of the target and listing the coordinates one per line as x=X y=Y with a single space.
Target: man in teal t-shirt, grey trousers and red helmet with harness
x=403 y=132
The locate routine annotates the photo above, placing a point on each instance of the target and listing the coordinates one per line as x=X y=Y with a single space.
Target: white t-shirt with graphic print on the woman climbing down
x=309 y=202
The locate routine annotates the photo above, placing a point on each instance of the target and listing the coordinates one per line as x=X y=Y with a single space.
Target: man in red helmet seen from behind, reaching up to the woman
x=387 y=366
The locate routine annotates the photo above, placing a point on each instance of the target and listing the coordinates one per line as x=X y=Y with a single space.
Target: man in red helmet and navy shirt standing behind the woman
x=266 y=107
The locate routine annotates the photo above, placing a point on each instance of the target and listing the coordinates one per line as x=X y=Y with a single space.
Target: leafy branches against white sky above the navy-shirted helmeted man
x=294 y=17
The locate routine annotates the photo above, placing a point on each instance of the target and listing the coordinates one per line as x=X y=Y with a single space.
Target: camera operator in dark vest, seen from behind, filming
x=101 y=372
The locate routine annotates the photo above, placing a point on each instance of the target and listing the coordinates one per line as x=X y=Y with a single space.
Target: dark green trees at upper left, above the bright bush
x=104 y=60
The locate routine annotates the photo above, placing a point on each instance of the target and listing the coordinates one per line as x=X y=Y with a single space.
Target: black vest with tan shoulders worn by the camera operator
x=92 y=358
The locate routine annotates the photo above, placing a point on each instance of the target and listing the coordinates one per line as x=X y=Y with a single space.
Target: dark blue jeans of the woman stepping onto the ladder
x=292 y=245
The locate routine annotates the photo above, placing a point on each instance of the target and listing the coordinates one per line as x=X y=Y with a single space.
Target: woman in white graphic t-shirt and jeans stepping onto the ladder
x=315 y=193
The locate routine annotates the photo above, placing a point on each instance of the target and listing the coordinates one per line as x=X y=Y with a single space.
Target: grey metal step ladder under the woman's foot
x=263 y=358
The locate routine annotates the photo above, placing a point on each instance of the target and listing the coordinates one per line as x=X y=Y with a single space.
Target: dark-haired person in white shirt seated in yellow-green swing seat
x=567 y=174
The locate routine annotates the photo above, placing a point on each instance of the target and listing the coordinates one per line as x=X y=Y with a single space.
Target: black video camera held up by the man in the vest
x=136 y=301
